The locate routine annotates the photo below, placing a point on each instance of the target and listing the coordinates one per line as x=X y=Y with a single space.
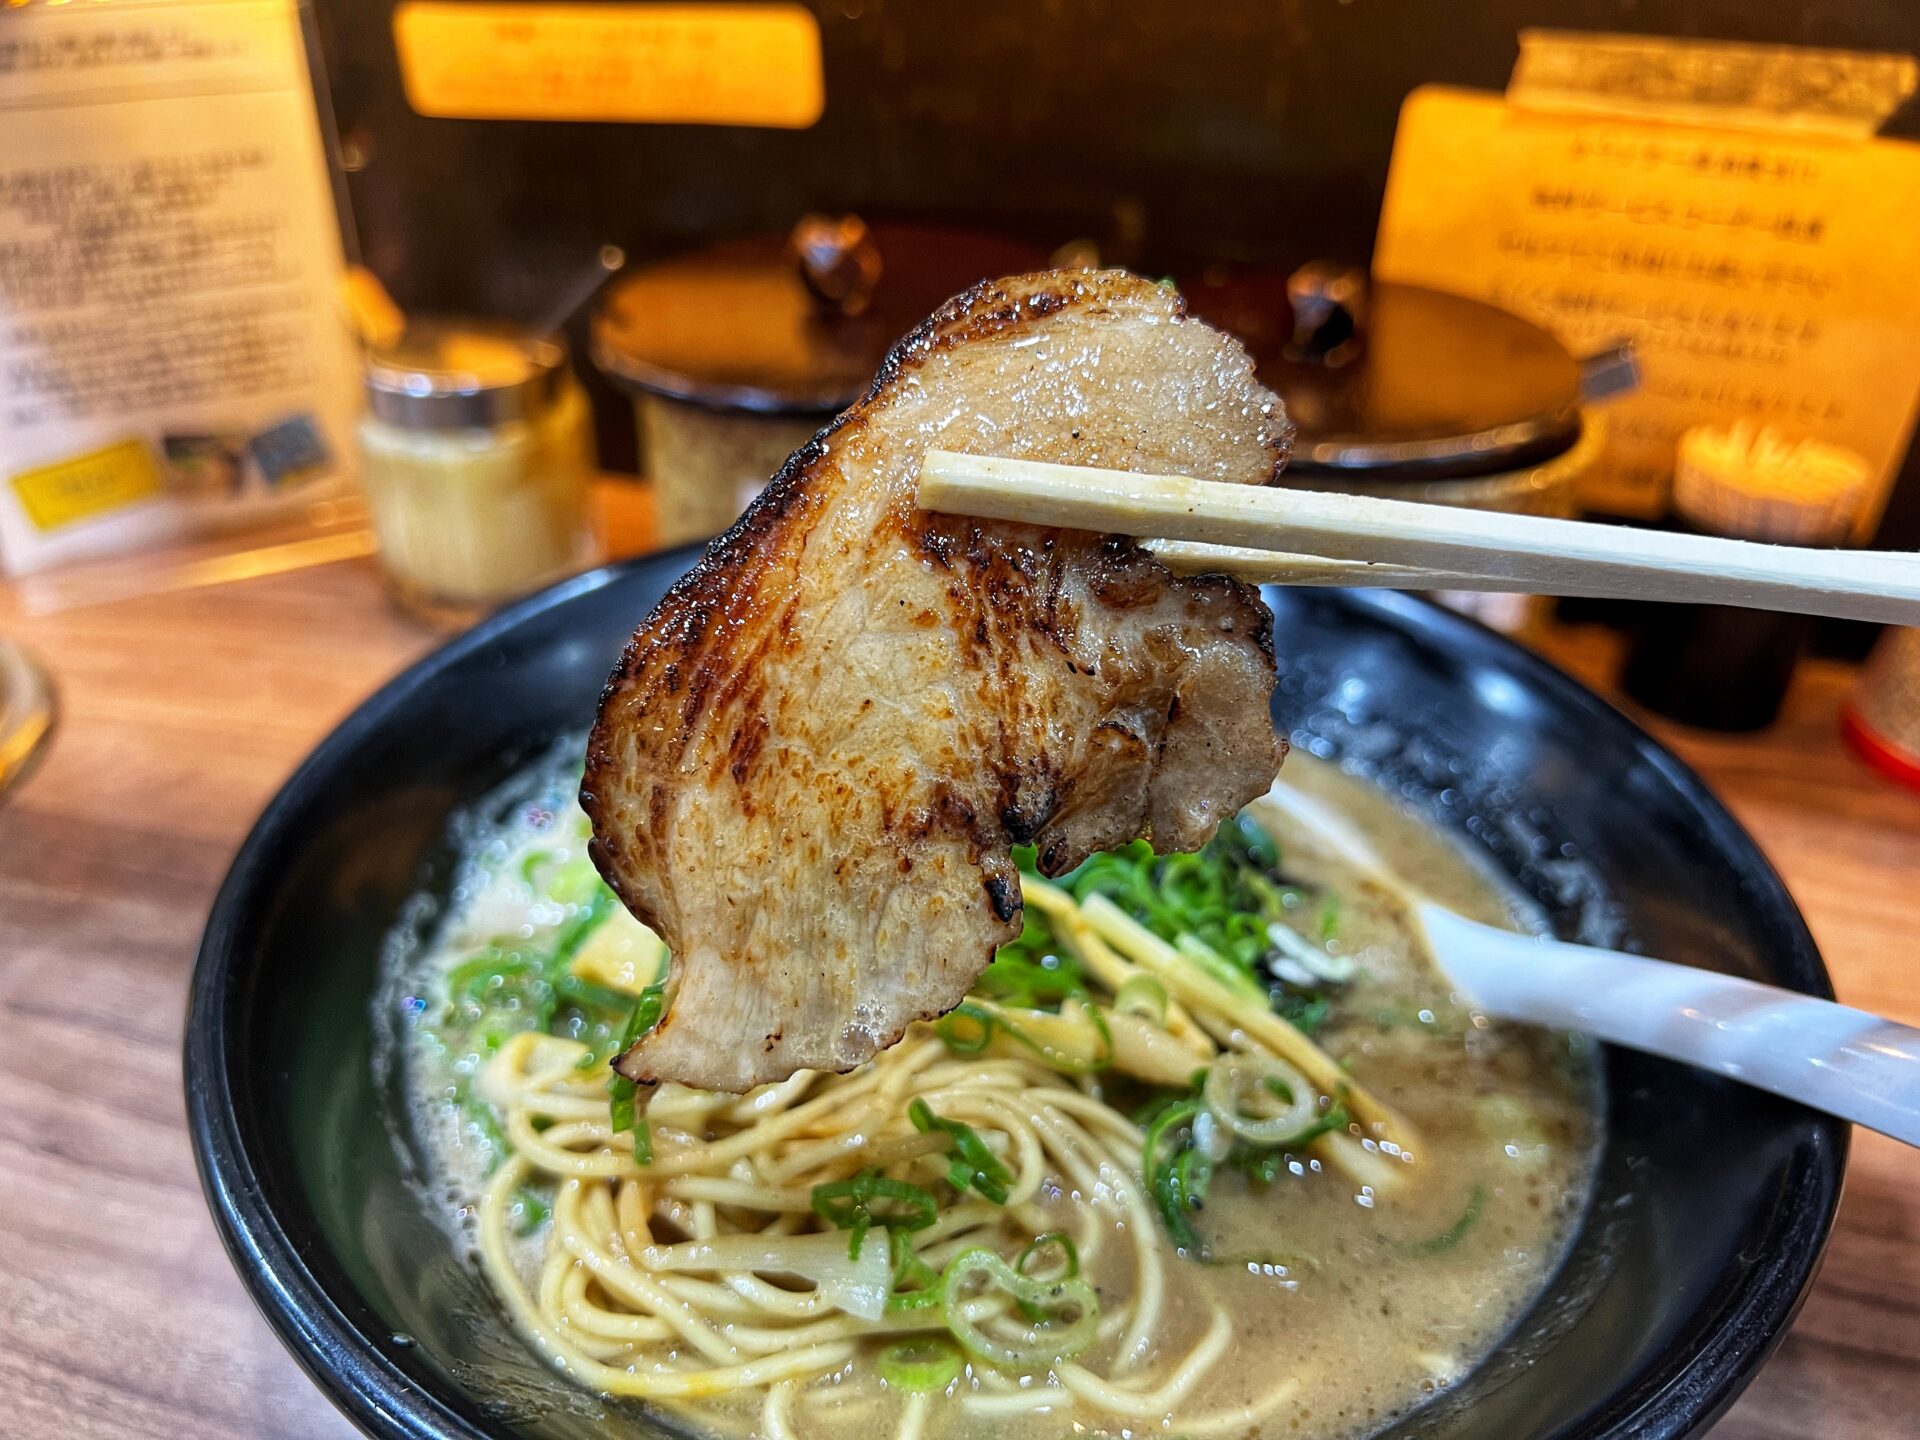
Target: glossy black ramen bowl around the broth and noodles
x=1712 y=1207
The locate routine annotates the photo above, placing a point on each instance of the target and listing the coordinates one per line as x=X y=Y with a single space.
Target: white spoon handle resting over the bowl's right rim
x=1825 y=1055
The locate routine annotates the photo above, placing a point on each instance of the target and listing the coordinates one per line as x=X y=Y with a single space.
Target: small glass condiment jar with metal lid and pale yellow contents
x=477 y=456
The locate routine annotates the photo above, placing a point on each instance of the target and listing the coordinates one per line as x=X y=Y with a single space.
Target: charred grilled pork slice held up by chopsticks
x=819 y=748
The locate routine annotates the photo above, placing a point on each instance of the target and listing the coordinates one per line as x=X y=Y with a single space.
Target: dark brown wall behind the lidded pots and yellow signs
x=1166 y=132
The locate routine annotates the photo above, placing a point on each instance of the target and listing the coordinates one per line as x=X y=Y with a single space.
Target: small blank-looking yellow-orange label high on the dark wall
x=612 y=62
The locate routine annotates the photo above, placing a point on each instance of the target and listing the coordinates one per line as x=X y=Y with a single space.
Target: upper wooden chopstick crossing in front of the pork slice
x=1522 y=554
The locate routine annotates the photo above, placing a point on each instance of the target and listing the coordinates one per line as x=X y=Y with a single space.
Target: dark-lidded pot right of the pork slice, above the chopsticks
x=1418 y=395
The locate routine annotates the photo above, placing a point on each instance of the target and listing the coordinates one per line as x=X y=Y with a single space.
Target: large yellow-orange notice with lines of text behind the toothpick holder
x=1762 y=276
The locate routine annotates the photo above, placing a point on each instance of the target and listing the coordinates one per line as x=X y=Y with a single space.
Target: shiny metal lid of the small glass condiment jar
x=456 y=375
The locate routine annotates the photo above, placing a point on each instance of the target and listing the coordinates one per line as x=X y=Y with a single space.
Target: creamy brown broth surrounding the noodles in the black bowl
x=1347 y=1305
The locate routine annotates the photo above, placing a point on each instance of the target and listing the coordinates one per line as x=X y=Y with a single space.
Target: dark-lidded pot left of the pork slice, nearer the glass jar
x=740 y=352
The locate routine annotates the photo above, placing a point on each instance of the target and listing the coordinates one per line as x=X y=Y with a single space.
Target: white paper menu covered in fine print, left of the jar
x=172 y=350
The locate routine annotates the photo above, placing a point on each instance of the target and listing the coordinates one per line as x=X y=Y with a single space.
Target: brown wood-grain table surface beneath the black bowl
x=183 y=713
